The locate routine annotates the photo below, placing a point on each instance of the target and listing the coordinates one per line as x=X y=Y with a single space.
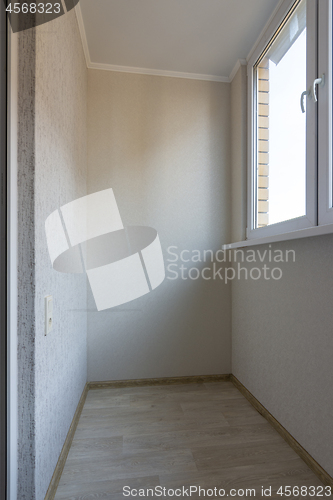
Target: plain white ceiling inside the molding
x=204 y=37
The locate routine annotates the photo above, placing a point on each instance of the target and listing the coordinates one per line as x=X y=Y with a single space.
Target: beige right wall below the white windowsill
x=282 y=343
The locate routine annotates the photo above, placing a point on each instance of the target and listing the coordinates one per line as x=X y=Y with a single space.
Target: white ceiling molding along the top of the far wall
x=157 y=72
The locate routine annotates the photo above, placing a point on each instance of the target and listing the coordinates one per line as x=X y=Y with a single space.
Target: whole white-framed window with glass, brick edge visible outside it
x=290 y=104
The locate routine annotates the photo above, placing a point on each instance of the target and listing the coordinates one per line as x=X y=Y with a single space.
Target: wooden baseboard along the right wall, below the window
x=305 y=456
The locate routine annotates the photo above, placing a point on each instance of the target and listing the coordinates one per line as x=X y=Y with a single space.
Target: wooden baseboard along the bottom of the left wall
x=50 y=494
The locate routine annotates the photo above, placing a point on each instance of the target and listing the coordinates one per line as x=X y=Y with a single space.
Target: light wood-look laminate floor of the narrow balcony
x=201 y=435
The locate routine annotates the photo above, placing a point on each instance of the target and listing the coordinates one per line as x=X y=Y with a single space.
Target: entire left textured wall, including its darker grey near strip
x=53 y=368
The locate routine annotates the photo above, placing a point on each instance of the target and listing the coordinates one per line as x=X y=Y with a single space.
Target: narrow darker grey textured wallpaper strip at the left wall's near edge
x=26 y=261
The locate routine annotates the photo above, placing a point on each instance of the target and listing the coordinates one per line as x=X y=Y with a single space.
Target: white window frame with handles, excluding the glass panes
x=317 y=164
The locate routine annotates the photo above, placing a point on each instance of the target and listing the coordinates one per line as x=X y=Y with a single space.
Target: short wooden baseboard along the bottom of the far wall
x=196 y=379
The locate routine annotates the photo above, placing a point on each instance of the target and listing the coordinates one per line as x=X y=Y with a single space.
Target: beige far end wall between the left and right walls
x=163 y=145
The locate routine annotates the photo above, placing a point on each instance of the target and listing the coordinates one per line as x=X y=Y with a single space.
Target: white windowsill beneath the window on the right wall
x=293 y=235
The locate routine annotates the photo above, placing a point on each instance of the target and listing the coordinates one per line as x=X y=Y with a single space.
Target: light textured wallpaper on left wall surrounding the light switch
x=60 y=176
